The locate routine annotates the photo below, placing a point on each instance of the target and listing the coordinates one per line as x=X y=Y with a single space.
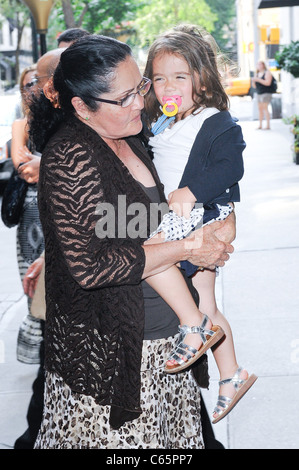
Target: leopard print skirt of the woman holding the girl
x=170 y=417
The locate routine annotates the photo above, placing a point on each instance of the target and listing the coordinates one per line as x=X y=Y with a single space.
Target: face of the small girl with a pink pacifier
x=171 y=76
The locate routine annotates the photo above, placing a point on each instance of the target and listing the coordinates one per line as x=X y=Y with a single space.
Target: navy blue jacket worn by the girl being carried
x=215 y=164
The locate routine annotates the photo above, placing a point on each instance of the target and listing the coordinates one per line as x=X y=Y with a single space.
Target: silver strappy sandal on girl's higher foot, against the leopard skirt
x=186 y=355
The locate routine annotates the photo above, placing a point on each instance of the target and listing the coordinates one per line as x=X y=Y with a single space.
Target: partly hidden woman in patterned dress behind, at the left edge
x=30 y=240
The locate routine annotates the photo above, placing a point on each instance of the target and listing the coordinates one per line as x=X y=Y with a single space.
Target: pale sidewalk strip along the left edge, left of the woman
x=15 y=378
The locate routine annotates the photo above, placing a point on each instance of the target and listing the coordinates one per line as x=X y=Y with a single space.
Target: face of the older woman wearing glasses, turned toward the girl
x=112 y=121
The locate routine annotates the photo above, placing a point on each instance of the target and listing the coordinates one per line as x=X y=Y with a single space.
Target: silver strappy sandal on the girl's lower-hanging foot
x=225 y=404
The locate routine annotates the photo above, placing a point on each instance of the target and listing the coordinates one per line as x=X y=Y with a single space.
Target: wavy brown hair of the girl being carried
x=200 y=51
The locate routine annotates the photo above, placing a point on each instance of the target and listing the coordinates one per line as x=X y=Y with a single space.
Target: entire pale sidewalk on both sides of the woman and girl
x=257 y=291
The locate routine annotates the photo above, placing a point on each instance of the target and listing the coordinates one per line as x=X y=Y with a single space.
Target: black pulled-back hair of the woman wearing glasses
x=86 y=69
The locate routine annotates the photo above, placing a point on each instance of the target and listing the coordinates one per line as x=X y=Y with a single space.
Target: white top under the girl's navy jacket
x=172 y=148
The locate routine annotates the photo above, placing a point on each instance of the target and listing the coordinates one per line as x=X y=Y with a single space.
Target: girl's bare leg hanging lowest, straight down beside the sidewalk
x=224 y=351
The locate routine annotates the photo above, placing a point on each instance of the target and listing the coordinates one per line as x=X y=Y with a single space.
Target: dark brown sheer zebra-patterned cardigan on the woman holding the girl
x=95 y=312
